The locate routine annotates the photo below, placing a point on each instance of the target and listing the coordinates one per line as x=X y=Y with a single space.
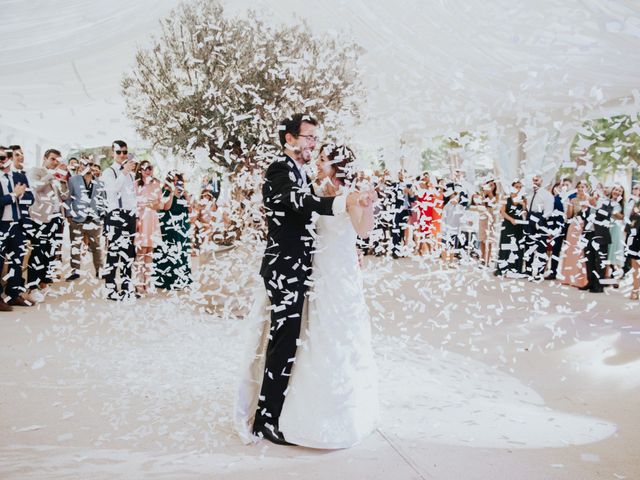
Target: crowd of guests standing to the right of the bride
x=583 y=235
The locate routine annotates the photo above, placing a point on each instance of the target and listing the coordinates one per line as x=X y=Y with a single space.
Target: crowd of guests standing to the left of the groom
x=139 y=231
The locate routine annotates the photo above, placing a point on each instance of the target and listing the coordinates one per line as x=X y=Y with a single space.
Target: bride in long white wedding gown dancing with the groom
x=332 y=397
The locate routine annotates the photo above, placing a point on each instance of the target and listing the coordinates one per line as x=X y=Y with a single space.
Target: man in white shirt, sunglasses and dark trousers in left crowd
x=120 y=222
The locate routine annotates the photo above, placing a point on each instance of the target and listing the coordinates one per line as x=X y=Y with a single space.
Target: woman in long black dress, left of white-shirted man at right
x=511 y=247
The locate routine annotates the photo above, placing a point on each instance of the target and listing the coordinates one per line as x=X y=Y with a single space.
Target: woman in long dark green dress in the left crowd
x=172 y=256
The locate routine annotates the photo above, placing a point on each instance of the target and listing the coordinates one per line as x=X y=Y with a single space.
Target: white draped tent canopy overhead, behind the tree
x=429 y=67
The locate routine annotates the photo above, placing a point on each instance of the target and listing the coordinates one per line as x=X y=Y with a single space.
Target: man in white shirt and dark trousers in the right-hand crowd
x=539 y=211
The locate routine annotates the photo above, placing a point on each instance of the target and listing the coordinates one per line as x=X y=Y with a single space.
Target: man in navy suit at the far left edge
x=12 y=240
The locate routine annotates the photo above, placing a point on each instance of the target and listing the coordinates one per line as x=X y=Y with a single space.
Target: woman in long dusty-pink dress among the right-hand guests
x=574 y=265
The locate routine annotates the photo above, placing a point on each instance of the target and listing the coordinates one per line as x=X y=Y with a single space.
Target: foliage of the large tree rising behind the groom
x=223 y=84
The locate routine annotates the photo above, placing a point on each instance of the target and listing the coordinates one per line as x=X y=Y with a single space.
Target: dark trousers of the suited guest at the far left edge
x=12 y=251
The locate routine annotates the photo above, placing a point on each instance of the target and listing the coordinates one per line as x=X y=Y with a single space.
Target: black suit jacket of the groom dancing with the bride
x=288 y=208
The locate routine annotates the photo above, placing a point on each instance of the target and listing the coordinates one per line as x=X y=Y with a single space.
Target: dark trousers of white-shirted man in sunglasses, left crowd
x=120 y=229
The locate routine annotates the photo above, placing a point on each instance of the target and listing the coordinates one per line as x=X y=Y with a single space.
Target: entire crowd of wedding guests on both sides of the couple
x=141 y=231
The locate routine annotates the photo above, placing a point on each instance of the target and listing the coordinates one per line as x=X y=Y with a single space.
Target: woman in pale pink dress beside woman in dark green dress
x=149 y=195
